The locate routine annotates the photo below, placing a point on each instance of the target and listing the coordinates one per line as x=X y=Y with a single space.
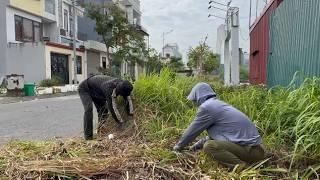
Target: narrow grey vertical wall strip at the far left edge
x=3 y=37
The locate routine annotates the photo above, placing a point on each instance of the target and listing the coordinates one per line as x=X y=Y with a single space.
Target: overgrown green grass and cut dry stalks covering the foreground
x=288 y=120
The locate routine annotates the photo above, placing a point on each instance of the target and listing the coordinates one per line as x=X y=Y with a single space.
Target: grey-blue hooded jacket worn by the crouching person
x=222 y=121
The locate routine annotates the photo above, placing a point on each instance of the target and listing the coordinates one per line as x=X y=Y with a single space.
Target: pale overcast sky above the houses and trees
x=190 y=23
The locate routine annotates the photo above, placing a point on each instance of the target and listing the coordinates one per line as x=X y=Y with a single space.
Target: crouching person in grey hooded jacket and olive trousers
x=233 y=139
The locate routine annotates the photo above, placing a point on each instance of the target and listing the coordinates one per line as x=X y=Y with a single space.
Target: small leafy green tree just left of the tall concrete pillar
x=202 y=58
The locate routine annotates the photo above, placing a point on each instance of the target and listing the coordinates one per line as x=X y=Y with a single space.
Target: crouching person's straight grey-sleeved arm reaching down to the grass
x=202 y=122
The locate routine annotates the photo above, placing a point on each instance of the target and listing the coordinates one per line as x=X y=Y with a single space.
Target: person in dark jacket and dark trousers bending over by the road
x=103 y=91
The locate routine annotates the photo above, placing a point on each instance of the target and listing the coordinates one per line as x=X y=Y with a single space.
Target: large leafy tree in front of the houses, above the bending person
x=117 y=33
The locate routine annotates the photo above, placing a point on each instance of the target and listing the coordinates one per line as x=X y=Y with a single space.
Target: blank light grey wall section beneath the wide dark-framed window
x=27 y=59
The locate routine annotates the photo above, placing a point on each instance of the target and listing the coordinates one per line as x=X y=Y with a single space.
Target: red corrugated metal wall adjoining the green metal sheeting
x=259 y=45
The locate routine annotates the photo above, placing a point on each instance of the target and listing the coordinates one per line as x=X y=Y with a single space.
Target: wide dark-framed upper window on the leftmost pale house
x=27 y=30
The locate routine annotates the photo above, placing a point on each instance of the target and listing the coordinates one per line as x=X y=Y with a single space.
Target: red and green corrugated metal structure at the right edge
x=284 y=42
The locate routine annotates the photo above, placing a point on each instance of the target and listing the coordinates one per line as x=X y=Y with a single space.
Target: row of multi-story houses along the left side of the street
x=36 y=39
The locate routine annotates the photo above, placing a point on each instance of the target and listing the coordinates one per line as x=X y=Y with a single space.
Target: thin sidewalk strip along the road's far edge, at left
x=8 y=100
